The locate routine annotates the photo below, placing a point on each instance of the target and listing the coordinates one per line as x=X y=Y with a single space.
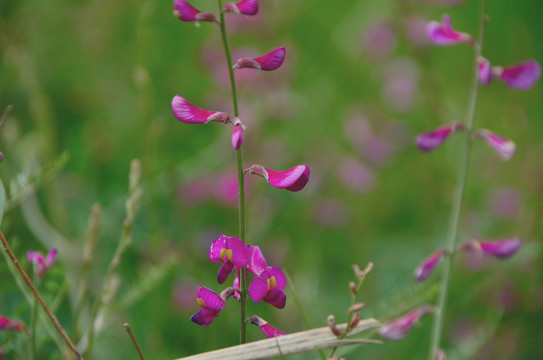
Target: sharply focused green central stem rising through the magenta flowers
x=241 y=180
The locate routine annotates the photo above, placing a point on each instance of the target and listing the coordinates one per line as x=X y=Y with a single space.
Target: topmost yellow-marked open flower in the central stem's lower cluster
x=231 y=252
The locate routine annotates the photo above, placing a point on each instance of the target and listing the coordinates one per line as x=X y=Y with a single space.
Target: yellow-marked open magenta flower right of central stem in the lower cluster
x=269 y=287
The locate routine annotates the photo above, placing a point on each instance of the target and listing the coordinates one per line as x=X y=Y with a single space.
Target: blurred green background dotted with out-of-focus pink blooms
x=94 y=80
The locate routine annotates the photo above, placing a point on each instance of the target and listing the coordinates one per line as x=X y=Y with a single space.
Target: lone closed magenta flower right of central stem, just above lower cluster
x=293 y=179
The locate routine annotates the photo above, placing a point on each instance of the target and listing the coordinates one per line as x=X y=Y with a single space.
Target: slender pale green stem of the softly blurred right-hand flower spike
x=437 y=327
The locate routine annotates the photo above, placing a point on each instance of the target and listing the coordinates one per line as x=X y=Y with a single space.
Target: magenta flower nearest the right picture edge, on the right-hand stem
x=521 y=76
